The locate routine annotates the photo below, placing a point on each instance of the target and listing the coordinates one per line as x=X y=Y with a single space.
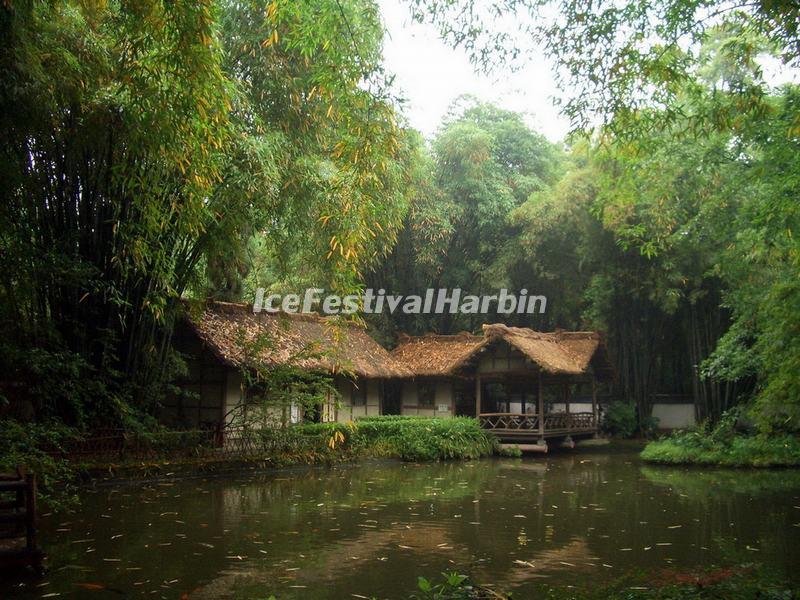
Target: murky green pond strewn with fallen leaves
x=572 y=518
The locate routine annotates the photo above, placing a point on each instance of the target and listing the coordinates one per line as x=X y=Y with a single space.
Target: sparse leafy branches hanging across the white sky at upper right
x=616 y=61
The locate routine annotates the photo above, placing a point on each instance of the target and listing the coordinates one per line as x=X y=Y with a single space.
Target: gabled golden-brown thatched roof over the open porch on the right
x=557 y=353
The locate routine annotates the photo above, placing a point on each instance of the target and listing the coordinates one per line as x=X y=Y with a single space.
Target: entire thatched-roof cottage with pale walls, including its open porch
x=524 y=385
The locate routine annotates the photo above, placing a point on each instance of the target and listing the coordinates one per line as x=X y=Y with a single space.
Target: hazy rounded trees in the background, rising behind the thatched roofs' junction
x=485 y=162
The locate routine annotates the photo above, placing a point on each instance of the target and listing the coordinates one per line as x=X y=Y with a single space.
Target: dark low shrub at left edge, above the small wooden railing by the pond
x=35 y=448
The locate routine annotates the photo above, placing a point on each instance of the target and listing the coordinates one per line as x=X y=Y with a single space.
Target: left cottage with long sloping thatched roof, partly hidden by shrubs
x=225 y=340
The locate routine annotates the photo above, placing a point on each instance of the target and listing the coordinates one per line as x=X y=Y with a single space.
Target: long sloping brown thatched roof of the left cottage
x=239 y=337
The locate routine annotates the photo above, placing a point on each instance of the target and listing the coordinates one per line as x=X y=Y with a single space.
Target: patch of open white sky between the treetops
x=430 y=75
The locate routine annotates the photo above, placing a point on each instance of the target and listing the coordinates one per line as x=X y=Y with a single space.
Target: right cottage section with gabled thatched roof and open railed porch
x=507 y=377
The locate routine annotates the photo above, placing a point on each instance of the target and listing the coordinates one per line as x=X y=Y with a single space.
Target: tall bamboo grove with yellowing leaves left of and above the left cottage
x=149 y=149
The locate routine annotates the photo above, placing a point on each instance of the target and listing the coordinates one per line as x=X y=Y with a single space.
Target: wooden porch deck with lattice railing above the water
x=529 y=428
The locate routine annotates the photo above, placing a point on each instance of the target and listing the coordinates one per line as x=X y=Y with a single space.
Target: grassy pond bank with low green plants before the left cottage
x=185 y=454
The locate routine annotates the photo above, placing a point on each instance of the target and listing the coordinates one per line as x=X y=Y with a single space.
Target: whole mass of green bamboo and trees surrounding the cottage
x=155 y=152
